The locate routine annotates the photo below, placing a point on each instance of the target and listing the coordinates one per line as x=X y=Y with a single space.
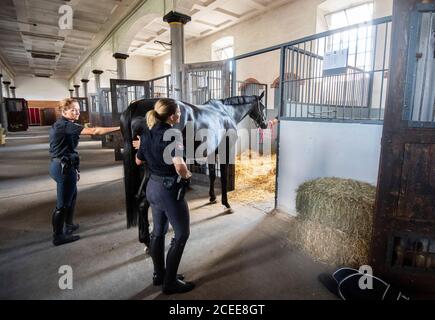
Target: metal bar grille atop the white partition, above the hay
x=350 y=81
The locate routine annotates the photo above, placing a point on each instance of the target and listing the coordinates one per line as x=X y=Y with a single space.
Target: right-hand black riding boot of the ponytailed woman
x=172 y=283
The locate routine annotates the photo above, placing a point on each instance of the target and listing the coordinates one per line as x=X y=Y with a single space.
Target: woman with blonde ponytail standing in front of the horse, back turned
x=163 y=194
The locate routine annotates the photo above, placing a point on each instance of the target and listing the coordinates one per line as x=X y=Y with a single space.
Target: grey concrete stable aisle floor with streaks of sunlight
x=244 y=255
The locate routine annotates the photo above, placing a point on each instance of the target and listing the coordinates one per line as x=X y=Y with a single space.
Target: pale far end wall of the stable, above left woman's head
x=41 y=88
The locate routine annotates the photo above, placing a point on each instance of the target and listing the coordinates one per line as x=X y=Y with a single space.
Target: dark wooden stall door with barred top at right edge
x=403 y=247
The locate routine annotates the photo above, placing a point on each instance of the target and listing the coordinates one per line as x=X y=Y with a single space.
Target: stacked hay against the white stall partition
x=335 y=220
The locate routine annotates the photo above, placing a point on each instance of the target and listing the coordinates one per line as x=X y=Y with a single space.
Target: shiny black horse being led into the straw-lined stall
x=217 y=116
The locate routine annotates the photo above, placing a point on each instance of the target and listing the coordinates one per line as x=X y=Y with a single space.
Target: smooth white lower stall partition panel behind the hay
x=310 y=150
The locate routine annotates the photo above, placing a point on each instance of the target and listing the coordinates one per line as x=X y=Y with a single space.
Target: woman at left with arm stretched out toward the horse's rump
x=64 y=168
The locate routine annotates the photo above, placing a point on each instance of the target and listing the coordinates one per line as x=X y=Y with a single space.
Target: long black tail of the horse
x=131 y=170
